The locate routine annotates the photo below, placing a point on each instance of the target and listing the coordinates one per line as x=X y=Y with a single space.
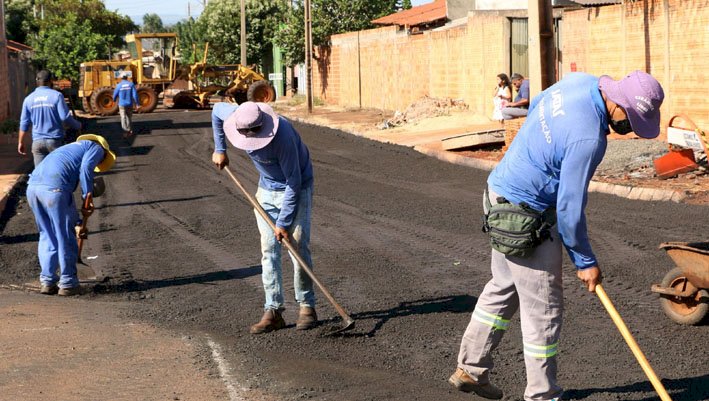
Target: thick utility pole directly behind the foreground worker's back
x=542 y=52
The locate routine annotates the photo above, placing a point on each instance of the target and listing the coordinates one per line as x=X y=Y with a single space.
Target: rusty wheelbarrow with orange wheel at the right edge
x=684 y=292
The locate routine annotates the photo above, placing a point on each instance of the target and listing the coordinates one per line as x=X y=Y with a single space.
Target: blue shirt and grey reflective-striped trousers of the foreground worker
x=549 y=164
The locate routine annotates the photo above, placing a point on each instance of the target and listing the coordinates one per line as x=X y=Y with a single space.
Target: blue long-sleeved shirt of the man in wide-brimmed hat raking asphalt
x=283 y=165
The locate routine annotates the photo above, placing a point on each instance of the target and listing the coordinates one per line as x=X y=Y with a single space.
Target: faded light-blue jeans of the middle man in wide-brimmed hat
x=272 y=274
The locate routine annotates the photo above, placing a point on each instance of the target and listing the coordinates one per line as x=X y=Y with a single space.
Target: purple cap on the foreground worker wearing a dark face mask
x=641 y=96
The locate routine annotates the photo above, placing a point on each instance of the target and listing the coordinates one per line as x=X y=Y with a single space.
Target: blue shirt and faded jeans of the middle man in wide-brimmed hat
x=285 y=193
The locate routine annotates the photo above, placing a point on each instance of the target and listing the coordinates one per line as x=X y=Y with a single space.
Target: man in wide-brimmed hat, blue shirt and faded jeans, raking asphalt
x=285 y=191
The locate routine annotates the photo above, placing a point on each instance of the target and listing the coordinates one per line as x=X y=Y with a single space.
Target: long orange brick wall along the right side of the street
x=462 y=62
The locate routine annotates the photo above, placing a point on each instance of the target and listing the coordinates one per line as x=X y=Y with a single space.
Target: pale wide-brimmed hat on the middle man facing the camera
x=252 y=126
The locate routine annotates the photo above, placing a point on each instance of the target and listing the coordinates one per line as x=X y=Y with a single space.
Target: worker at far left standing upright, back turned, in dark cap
x=45 y=111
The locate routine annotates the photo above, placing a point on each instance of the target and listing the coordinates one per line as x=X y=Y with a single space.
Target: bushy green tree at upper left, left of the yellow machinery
x=62 y=47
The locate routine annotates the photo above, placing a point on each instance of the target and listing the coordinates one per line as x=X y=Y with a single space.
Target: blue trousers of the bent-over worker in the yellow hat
x=56 y=216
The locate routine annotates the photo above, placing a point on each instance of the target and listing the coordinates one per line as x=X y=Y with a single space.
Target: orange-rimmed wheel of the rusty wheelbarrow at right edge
x=683 y=310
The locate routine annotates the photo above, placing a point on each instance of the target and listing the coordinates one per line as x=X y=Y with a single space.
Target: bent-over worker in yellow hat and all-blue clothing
x=50 y=196
